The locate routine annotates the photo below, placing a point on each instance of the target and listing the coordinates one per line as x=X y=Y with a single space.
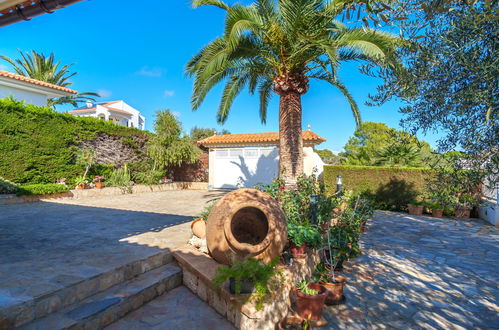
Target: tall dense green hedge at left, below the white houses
x=37 y=144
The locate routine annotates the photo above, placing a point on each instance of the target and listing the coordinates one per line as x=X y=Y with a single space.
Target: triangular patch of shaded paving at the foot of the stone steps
x=179 y=309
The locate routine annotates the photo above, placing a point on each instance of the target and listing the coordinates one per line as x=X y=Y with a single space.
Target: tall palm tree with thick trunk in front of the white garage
x=277 y=47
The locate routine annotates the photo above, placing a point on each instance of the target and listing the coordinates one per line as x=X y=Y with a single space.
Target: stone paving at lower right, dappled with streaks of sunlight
x=422 y=272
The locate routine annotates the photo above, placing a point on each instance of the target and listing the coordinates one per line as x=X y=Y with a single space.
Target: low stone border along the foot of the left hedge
x=109 y=191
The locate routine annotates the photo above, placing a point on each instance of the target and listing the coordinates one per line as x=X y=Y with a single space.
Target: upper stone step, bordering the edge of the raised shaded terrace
x=23 y=311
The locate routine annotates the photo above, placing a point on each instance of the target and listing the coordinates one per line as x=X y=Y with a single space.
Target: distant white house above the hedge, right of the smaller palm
x=116 y=111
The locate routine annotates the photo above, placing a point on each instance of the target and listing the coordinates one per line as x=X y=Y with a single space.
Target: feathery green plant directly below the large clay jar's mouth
x=251 y=276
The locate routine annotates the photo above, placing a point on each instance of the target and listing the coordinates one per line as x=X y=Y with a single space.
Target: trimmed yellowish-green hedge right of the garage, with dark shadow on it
x=391 y=187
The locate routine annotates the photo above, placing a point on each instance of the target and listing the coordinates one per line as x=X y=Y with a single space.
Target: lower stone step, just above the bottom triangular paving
x=106 y=307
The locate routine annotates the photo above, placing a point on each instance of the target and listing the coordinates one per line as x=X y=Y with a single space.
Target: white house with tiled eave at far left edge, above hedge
x=30 y=90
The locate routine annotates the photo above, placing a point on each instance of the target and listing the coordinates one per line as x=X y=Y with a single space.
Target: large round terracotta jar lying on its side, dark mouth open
x=244 y=223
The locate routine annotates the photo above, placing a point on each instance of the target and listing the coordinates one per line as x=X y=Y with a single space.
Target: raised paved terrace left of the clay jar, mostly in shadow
x=47 y=246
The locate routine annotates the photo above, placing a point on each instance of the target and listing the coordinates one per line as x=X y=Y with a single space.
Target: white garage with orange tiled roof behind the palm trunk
x=243 y=160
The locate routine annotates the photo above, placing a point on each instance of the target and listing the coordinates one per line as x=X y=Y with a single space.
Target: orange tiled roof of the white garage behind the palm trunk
x=267 y=138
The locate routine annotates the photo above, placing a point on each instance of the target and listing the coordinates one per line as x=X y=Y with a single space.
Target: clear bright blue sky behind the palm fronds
x=138 y=53
